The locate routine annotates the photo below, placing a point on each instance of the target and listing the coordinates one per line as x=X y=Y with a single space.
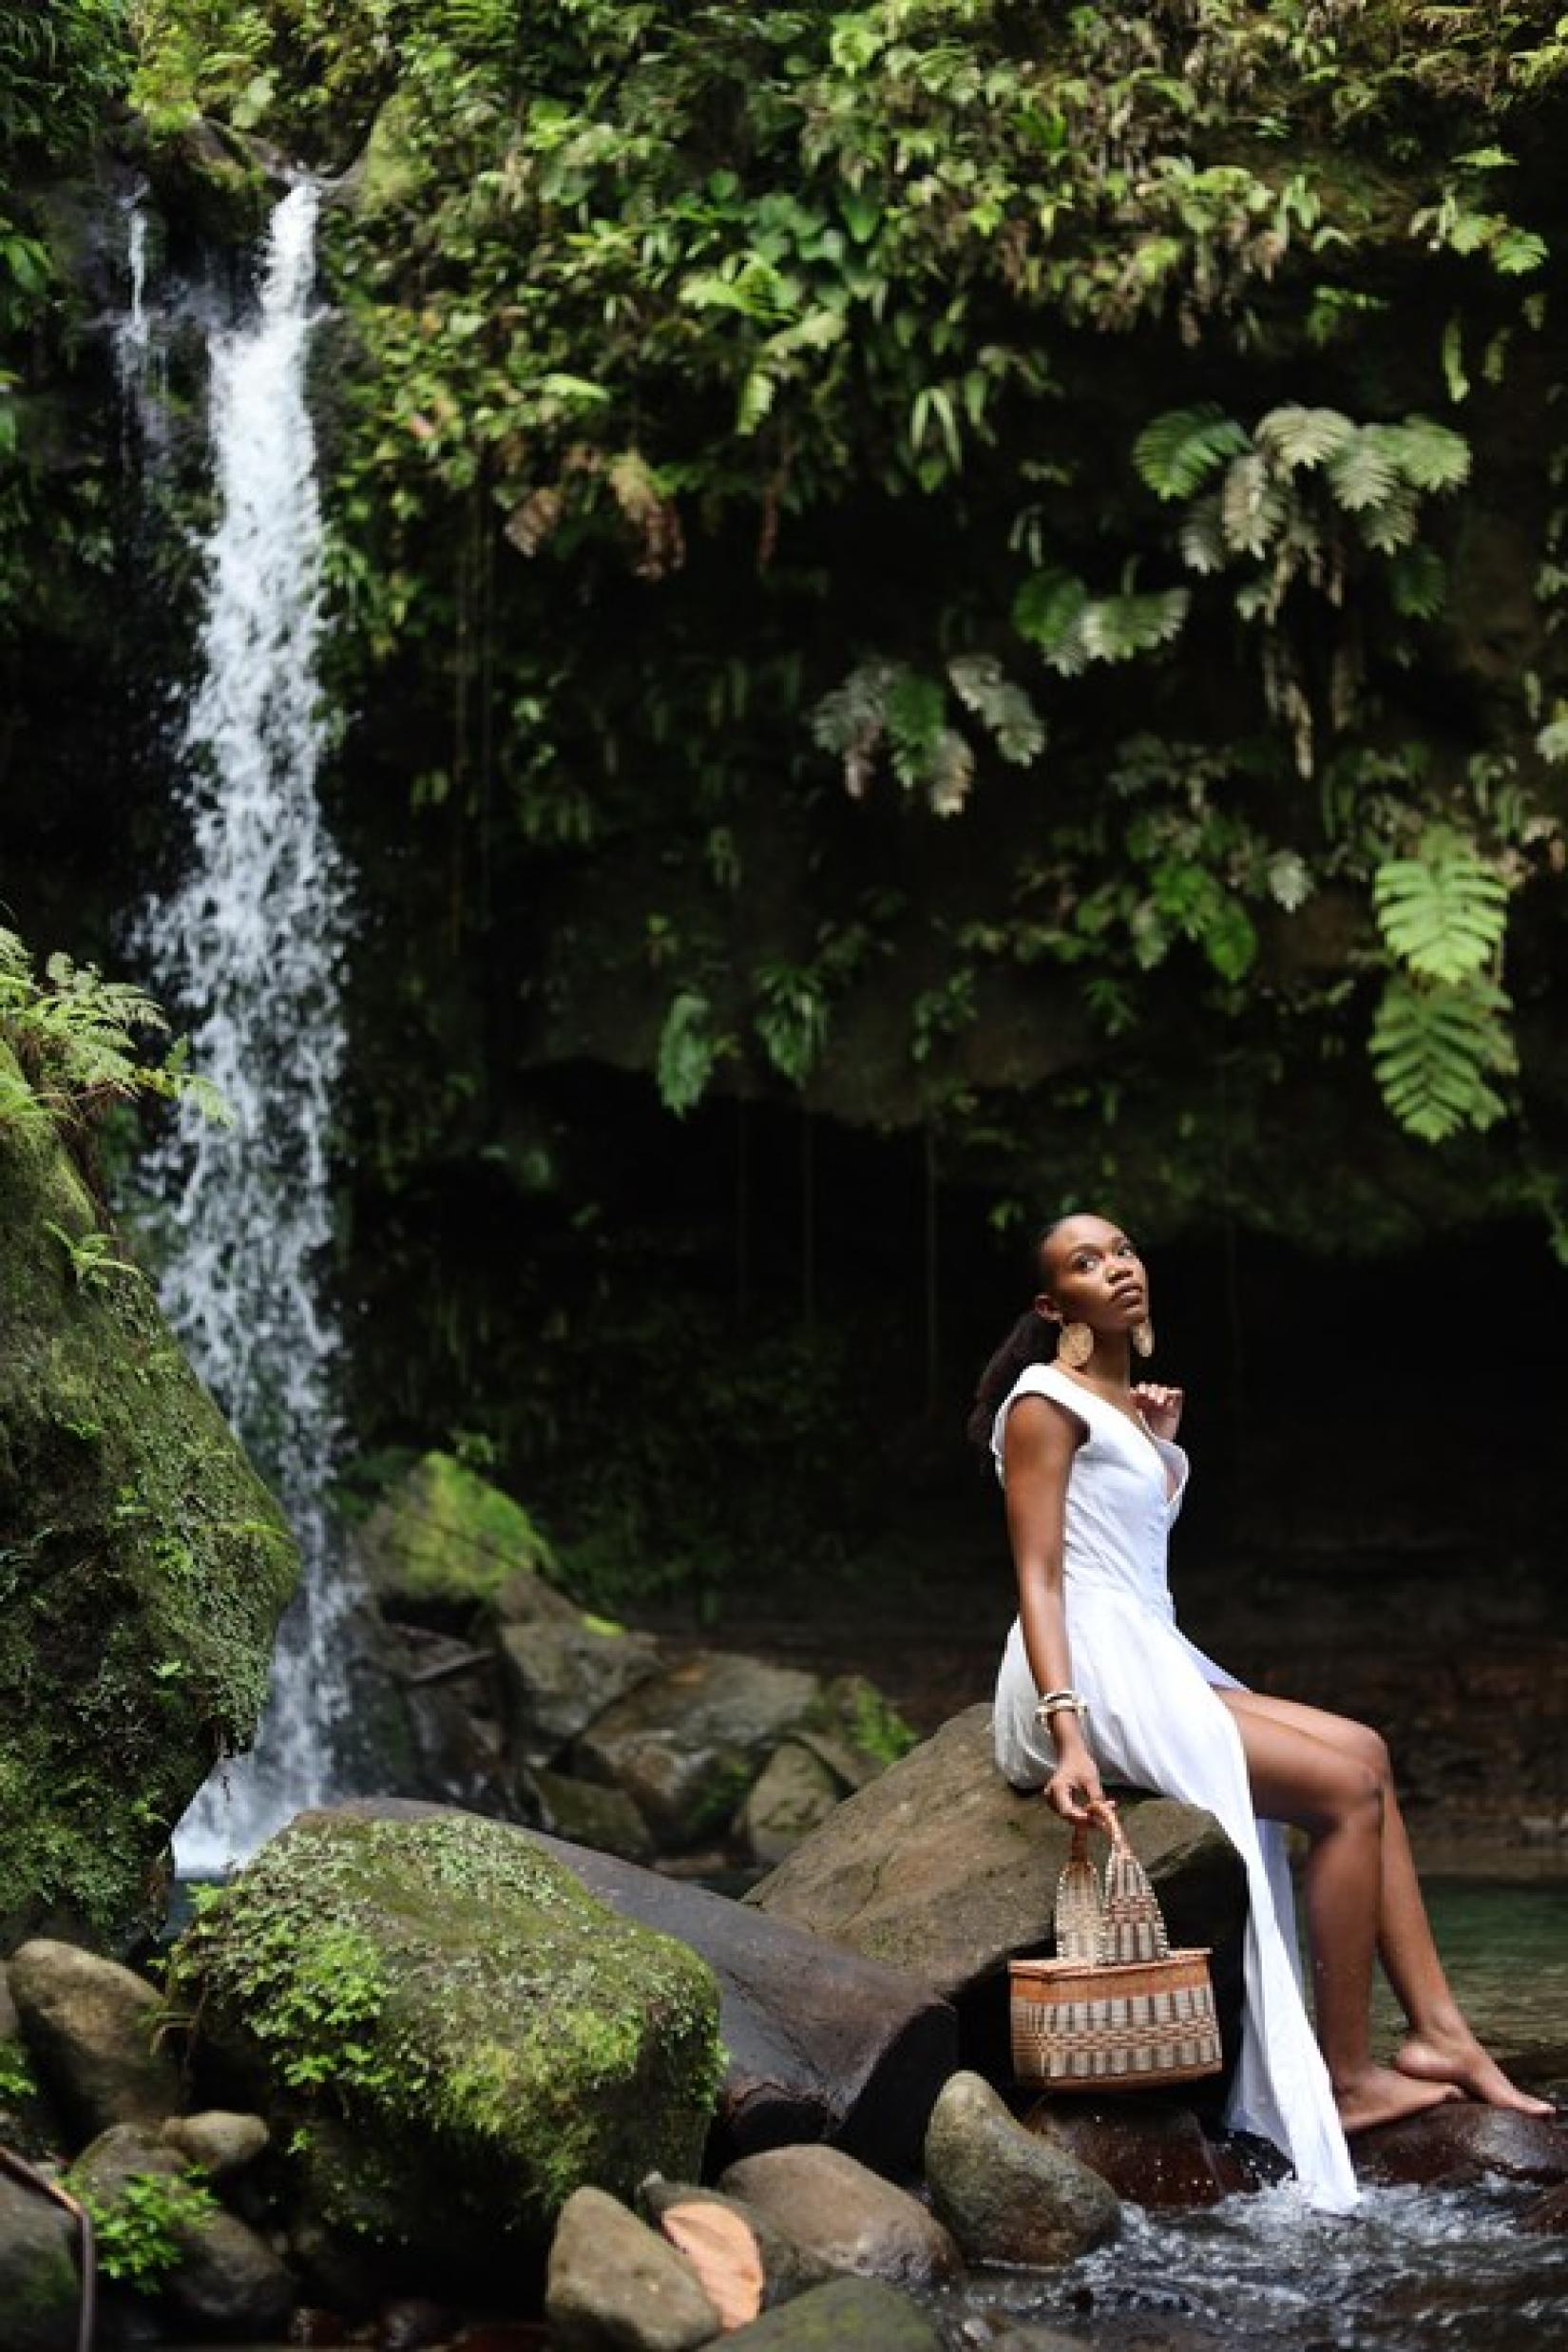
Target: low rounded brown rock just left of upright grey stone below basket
x=845 y=2214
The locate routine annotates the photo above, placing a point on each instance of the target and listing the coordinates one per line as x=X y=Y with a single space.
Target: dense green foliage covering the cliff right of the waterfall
x=772 y=349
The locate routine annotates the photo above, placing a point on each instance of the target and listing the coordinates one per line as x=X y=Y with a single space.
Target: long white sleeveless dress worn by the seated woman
x=1155 y=1723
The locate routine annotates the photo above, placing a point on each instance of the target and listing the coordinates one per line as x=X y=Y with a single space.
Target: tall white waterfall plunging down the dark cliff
x=248 y=949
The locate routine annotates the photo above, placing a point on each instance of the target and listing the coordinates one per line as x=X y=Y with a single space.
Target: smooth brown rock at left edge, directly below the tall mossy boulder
x=91 y=2029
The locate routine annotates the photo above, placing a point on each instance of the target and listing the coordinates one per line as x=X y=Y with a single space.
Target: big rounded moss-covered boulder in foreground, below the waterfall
x=450 y=2033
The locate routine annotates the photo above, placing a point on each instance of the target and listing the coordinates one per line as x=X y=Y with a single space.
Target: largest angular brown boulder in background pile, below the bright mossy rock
x=690 y=1742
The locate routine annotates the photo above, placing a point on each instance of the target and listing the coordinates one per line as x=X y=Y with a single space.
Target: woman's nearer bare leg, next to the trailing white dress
x=1339 y=1800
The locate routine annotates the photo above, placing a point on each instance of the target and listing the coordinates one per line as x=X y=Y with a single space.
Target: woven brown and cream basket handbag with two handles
x=1118 y=2010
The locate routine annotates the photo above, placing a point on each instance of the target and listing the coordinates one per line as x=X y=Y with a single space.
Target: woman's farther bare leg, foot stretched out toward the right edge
x=1440 y=2045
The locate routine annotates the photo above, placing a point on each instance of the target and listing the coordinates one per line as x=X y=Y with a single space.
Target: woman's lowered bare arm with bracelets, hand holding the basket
x=1040 y=1443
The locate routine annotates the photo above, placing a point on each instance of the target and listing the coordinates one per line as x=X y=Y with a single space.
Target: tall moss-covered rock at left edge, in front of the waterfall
x=142 y=1565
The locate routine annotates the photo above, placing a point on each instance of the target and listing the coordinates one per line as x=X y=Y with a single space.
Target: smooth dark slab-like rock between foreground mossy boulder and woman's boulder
x=822 y=2045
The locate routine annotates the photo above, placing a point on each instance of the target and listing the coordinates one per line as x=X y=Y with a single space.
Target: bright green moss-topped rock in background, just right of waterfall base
x=448 y=1539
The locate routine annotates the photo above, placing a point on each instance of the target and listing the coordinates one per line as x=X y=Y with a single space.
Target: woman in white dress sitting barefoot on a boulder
x=1094 y=1481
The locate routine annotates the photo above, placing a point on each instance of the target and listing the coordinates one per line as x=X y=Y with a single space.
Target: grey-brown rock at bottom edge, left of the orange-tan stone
x=619 y=2287
